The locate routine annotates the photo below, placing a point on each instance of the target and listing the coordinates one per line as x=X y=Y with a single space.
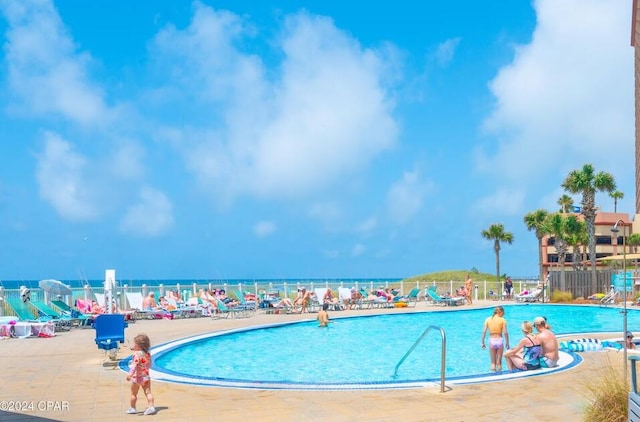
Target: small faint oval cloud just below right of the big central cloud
x=406 y=197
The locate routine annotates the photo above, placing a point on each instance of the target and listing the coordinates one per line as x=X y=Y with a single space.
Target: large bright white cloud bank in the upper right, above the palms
x=567 y=97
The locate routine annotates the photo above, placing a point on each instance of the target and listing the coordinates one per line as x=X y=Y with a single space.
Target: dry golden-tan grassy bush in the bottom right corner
x=607 y=395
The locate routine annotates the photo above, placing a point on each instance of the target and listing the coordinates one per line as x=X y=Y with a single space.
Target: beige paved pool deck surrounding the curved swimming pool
x=67 y=374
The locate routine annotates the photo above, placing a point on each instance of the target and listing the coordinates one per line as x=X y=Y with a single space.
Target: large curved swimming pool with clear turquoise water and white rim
x=362 y=351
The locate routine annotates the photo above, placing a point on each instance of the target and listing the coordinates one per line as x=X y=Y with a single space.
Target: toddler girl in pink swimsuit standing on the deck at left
x=139 y=373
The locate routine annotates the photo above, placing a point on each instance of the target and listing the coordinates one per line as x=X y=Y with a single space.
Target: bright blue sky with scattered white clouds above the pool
x=290 y=139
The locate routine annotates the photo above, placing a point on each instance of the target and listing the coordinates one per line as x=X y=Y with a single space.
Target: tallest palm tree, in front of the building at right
x=587 y=182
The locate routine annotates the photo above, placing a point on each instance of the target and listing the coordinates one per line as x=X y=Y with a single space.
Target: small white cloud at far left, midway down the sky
x=62 y=176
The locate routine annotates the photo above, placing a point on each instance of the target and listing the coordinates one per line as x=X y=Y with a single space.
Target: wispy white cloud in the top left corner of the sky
x=46 y=74
